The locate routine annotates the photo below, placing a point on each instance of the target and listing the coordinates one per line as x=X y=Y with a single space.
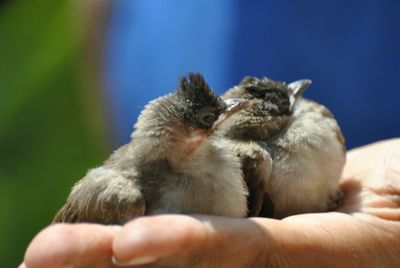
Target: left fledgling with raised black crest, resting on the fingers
x=176 y=163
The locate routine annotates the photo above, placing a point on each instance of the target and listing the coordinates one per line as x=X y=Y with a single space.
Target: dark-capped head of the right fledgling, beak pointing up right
x=272 y=104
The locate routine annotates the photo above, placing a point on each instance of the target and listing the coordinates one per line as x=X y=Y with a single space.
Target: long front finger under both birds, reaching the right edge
x=325 y=239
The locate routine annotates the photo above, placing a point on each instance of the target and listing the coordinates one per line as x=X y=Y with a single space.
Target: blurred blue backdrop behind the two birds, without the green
x=350 y=49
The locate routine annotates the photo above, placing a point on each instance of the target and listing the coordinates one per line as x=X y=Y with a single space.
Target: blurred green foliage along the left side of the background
x=45 y=140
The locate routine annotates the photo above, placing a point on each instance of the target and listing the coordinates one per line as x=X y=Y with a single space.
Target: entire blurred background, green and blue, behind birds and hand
x=74 y=76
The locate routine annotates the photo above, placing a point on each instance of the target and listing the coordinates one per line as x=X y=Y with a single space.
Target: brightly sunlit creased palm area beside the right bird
x=371 y=180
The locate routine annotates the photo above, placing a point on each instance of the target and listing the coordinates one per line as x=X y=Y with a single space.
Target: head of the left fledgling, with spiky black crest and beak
x=178 y=123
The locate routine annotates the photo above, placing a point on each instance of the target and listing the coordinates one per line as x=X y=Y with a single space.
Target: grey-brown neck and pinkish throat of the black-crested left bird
x=161 y=135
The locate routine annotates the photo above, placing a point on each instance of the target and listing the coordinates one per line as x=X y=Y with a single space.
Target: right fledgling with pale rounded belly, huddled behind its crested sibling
x=292 y=149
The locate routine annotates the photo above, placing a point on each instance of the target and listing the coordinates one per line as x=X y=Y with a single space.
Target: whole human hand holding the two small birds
x=363 y=232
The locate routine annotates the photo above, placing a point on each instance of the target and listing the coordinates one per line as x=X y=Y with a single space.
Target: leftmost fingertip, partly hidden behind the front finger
x=75 y=245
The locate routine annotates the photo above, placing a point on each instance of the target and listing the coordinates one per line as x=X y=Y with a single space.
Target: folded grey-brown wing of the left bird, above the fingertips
x=103 y=196
